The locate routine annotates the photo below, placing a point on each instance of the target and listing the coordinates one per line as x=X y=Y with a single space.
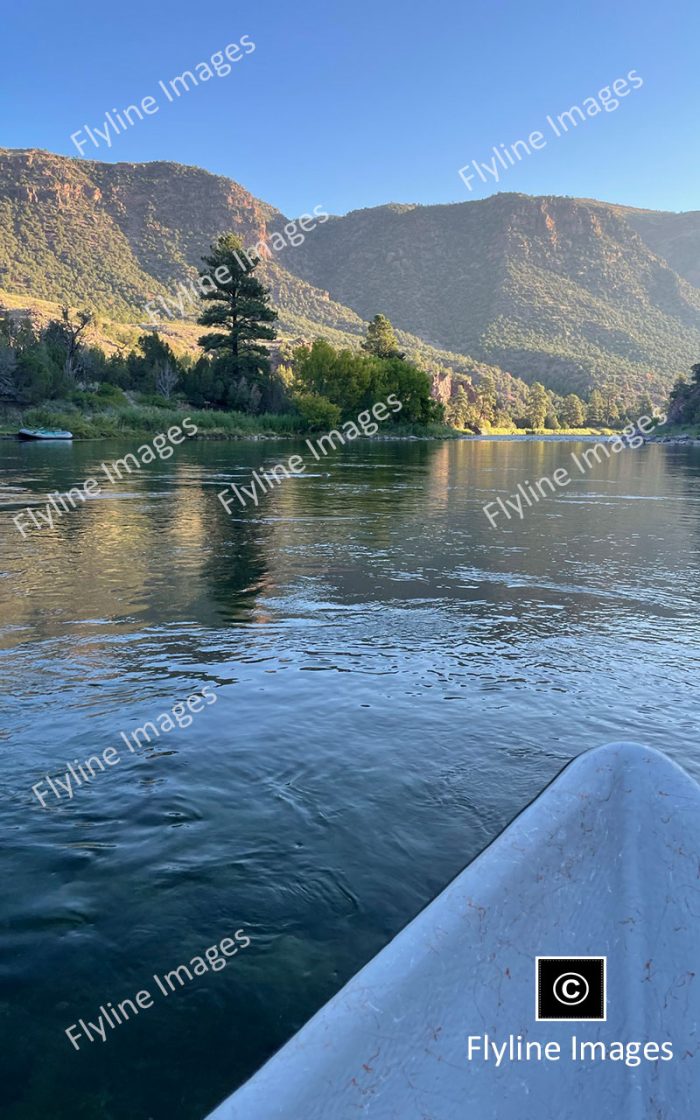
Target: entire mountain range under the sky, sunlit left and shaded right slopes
x=575 y=293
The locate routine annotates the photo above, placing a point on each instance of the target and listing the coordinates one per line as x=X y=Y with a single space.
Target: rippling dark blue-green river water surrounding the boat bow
x=395 y=680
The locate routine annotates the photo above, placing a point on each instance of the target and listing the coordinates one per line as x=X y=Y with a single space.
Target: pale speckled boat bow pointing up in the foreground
x=604 y=864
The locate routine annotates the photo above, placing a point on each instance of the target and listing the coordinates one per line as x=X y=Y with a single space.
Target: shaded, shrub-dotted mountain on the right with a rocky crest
x=572 y=292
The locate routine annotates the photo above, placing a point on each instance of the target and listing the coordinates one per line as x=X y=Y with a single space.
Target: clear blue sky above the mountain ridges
x=351 y=105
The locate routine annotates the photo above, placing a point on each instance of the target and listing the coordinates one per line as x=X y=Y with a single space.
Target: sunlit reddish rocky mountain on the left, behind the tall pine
x=116 y=237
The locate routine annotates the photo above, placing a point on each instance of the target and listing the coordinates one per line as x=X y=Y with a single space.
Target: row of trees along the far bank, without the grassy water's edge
x=321 y=384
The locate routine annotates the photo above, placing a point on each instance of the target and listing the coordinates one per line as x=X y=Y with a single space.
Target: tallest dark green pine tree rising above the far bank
x=240 y=309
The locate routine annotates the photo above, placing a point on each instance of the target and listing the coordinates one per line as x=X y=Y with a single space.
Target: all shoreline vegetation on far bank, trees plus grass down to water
x=246 y=382
